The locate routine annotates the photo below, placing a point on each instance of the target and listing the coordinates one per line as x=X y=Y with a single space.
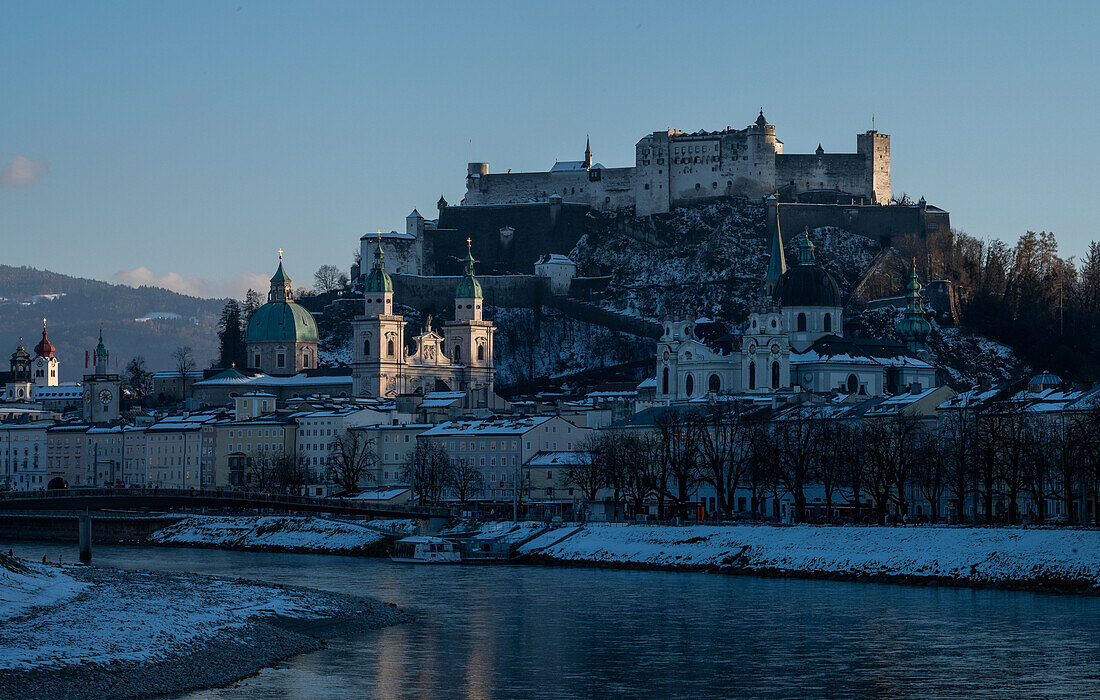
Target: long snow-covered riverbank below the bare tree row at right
x=1054 y=560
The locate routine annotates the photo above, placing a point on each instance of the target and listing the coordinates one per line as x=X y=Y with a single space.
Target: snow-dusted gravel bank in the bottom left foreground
x=83 y=632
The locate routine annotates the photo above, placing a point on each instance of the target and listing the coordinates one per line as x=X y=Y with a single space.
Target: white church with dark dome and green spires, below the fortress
x=794 y=341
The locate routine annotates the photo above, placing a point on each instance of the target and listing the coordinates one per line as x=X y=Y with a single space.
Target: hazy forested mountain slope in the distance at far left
x=148 y=322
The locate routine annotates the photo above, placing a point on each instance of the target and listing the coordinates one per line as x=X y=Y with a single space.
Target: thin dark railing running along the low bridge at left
x=255 y=498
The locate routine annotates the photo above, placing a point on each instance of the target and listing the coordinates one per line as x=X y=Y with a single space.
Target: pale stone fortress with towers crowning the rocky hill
x=673 y=168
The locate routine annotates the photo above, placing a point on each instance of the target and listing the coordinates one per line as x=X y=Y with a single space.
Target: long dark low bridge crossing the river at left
x=171 y=499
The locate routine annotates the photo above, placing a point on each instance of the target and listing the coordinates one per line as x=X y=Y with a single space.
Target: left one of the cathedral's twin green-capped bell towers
x=380 y=336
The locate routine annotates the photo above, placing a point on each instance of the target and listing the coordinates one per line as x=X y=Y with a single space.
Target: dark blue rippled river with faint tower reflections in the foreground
x=541 y=632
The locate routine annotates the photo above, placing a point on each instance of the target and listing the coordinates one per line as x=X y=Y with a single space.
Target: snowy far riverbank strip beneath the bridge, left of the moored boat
x=282 y=534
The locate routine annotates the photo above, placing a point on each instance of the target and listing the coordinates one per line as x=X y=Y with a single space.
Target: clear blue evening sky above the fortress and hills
x=182 y=145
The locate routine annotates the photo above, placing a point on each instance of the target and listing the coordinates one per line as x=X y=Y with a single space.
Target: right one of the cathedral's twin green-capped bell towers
x=469 y=338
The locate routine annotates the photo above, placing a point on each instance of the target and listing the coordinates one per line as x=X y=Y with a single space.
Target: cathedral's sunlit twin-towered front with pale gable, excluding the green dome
x=460 y=358
